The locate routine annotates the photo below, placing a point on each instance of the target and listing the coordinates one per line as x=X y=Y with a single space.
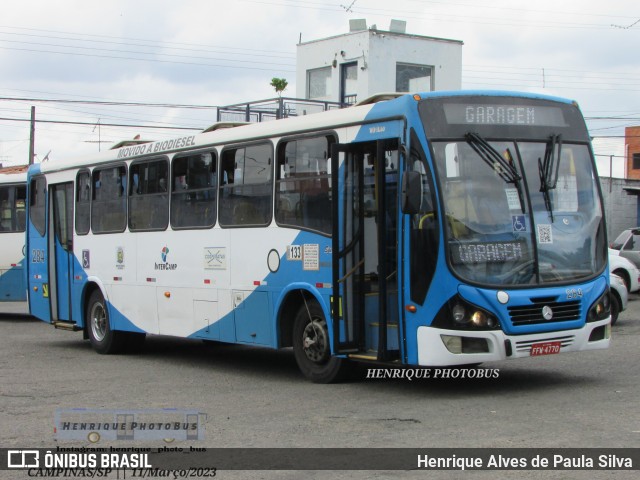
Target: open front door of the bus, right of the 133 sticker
x=365 y=249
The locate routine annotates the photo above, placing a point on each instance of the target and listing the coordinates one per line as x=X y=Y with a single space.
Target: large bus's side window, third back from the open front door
x=194 y=190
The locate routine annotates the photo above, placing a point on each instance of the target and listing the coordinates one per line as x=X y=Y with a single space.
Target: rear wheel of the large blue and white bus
x=102 y=338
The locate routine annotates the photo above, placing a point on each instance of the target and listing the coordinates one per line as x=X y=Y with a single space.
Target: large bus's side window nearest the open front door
x=302 y=187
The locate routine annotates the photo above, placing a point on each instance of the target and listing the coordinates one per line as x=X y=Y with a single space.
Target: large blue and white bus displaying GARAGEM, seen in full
x=434 y=229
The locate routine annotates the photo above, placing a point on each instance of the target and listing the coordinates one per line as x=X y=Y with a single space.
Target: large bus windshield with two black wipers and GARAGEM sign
x=520 y=212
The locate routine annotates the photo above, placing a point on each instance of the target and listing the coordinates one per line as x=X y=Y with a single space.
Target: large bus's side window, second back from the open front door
x=246 y=186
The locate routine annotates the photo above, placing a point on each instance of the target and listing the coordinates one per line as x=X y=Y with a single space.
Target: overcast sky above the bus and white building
x=212 y=52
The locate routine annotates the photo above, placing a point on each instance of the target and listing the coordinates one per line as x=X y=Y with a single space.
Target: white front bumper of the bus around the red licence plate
x=432 y=351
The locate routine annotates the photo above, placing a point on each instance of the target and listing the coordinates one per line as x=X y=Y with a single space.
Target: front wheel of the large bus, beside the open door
x=312 y=349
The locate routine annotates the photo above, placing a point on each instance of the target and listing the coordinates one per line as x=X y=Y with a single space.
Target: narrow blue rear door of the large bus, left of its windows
x=60 y=250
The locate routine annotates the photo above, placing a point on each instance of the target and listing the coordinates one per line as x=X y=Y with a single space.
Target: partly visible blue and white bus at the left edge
x=13 y=221
